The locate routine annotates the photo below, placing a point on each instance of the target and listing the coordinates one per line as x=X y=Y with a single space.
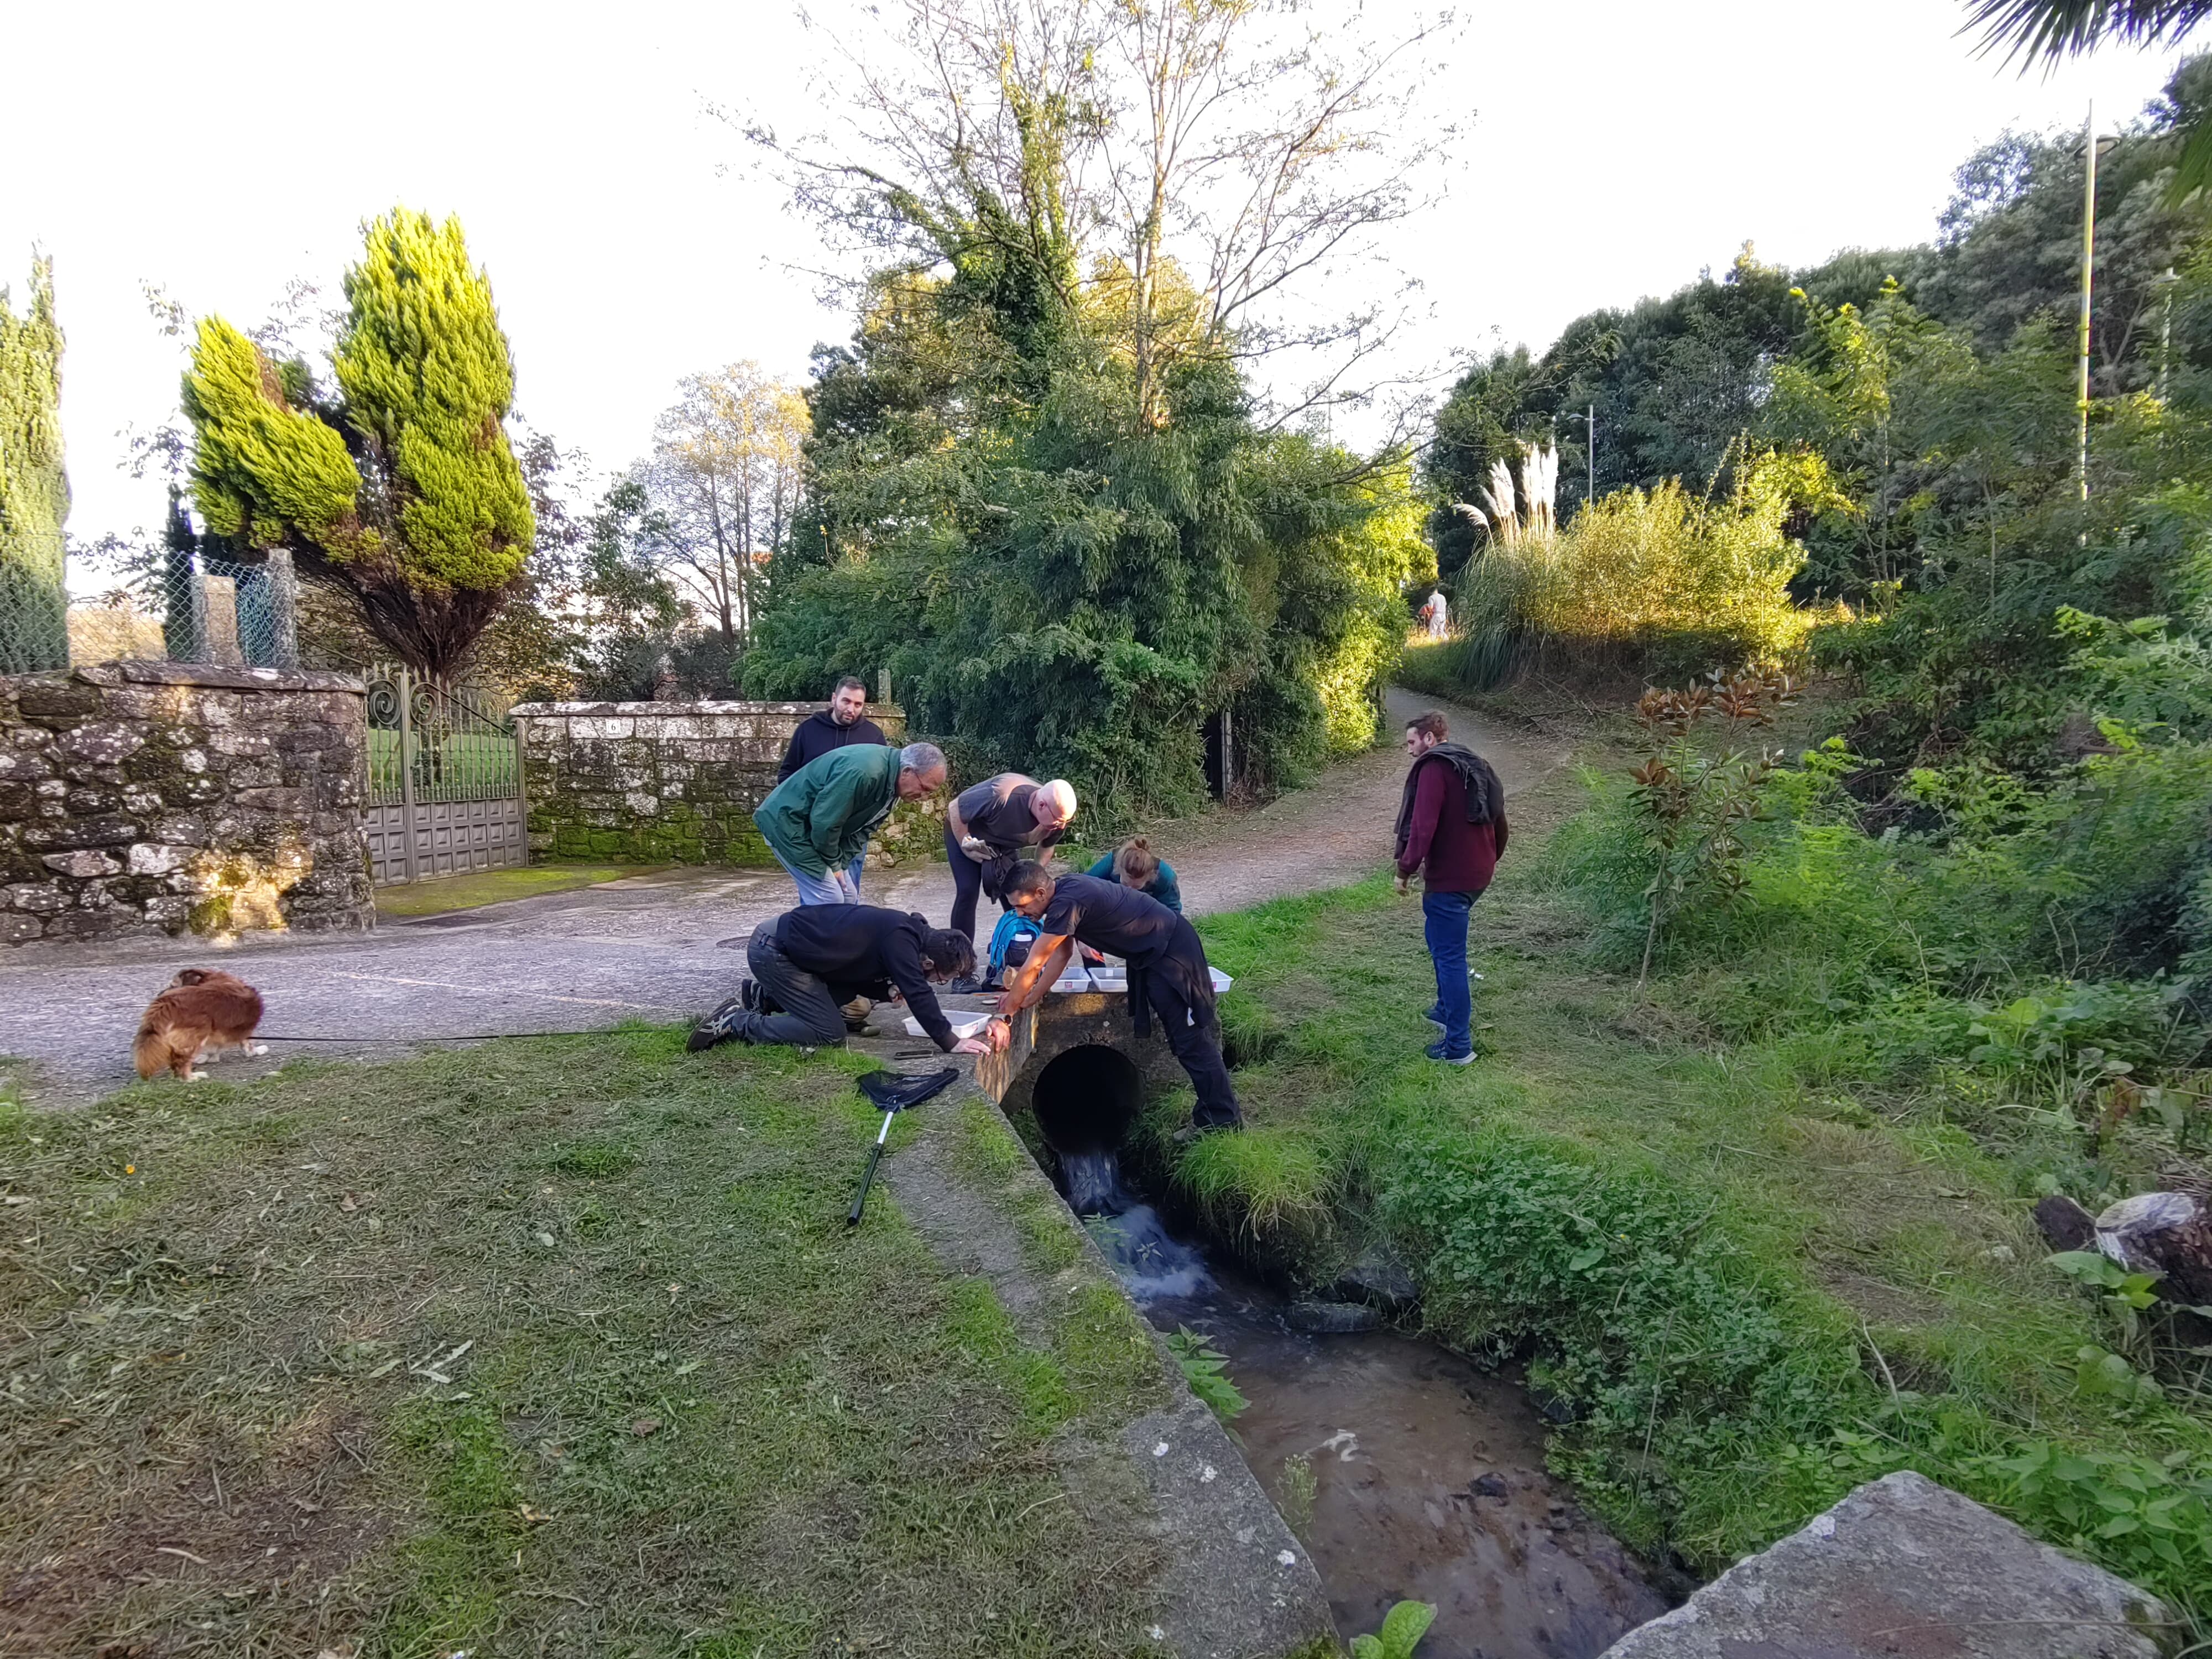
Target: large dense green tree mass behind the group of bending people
x=1045 y=508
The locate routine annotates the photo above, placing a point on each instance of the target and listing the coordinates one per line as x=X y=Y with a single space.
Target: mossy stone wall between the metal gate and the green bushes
x=676 y=784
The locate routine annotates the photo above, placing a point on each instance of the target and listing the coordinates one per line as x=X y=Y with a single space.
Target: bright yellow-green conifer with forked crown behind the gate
x=399 y=483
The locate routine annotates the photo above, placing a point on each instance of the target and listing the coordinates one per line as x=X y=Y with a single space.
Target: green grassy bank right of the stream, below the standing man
x=1753 y=1291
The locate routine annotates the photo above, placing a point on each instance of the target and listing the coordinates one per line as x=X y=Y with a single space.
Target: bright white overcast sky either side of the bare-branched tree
x=1616 y=147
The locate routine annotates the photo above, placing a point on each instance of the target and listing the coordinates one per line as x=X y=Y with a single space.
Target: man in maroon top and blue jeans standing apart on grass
x=1452 y=828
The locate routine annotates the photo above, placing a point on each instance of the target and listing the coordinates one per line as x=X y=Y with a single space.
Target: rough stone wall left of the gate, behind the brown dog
x=152 y=797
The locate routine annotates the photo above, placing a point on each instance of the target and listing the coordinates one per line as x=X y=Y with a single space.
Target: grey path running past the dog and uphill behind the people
x=658 y=948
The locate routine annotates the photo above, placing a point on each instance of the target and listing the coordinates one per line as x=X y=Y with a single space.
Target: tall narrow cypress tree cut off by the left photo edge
x=34 y=490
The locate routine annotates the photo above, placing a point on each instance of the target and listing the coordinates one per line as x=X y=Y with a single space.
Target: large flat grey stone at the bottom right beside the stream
x=1906 y=1569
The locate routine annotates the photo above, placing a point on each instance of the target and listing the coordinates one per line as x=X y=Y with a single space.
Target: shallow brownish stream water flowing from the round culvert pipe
x=1426 y=1474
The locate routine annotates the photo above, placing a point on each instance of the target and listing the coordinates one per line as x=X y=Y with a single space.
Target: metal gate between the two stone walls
x=446 y=782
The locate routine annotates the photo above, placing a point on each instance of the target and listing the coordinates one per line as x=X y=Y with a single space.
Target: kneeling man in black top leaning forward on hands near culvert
x=815 y=959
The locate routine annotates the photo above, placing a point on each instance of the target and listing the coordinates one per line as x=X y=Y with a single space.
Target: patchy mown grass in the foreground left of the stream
x=543 y=1348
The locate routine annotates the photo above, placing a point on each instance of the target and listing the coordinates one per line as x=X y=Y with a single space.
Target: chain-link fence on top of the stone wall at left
x=185 y=607
